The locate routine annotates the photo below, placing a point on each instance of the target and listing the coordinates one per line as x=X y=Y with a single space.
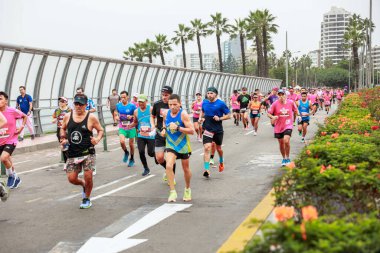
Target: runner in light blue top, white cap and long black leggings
x=146 y=131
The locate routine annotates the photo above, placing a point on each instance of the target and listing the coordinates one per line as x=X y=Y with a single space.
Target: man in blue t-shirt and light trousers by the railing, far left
x=24 y=103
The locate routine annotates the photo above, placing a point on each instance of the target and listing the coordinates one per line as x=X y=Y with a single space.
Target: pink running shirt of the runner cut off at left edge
x=7 y=132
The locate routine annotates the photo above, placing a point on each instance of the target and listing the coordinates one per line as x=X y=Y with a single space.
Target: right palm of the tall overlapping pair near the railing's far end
x=265 y=20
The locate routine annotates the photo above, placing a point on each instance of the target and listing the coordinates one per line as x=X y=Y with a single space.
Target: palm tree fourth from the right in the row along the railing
x=220 y=26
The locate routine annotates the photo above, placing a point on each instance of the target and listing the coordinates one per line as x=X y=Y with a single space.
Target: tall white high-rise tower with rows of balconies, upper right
x=333 y=28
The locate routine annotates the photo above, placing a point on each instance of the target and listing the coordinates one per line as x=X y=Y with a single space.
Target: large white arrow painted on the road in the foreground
x=121 y=241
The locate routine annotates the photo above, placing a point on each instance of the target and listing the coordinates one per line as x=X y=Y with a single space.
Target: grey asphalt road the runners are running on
x=43 y=215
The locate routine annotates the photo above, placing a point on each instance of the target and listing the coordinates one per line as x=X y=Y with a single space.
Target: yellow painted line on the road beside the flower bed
x=243 y=234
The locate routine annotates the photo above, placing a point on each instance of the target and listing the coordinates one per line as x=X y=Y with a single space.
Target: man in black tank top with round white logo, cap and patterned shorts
x=77 y=131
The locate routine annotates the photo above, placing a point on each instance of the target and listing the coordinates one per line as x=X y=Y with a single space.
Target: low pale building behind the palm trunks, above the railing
x=193 y=62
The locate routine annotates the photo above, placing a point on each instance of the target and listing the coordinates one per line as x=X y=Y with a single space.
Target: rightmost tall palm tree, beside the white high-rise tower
x=354 y=37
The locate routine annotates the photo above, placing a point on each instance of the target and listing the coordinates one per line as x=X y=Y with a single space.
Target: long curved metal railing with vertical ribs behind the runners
x=49 y=74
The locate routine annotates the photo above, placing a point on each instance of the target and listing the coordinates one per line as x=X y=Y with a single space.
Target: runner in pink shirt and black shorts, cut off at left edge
x=8 y=142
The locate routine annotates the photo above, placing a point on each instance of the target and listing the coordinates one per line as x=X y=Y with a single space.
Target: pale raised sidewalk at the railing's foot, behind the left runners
x=49 y=141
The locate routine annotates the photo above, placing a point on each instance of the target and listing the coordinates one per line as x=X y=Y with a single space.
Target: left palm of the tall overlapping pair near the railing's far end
x=254 y=32
